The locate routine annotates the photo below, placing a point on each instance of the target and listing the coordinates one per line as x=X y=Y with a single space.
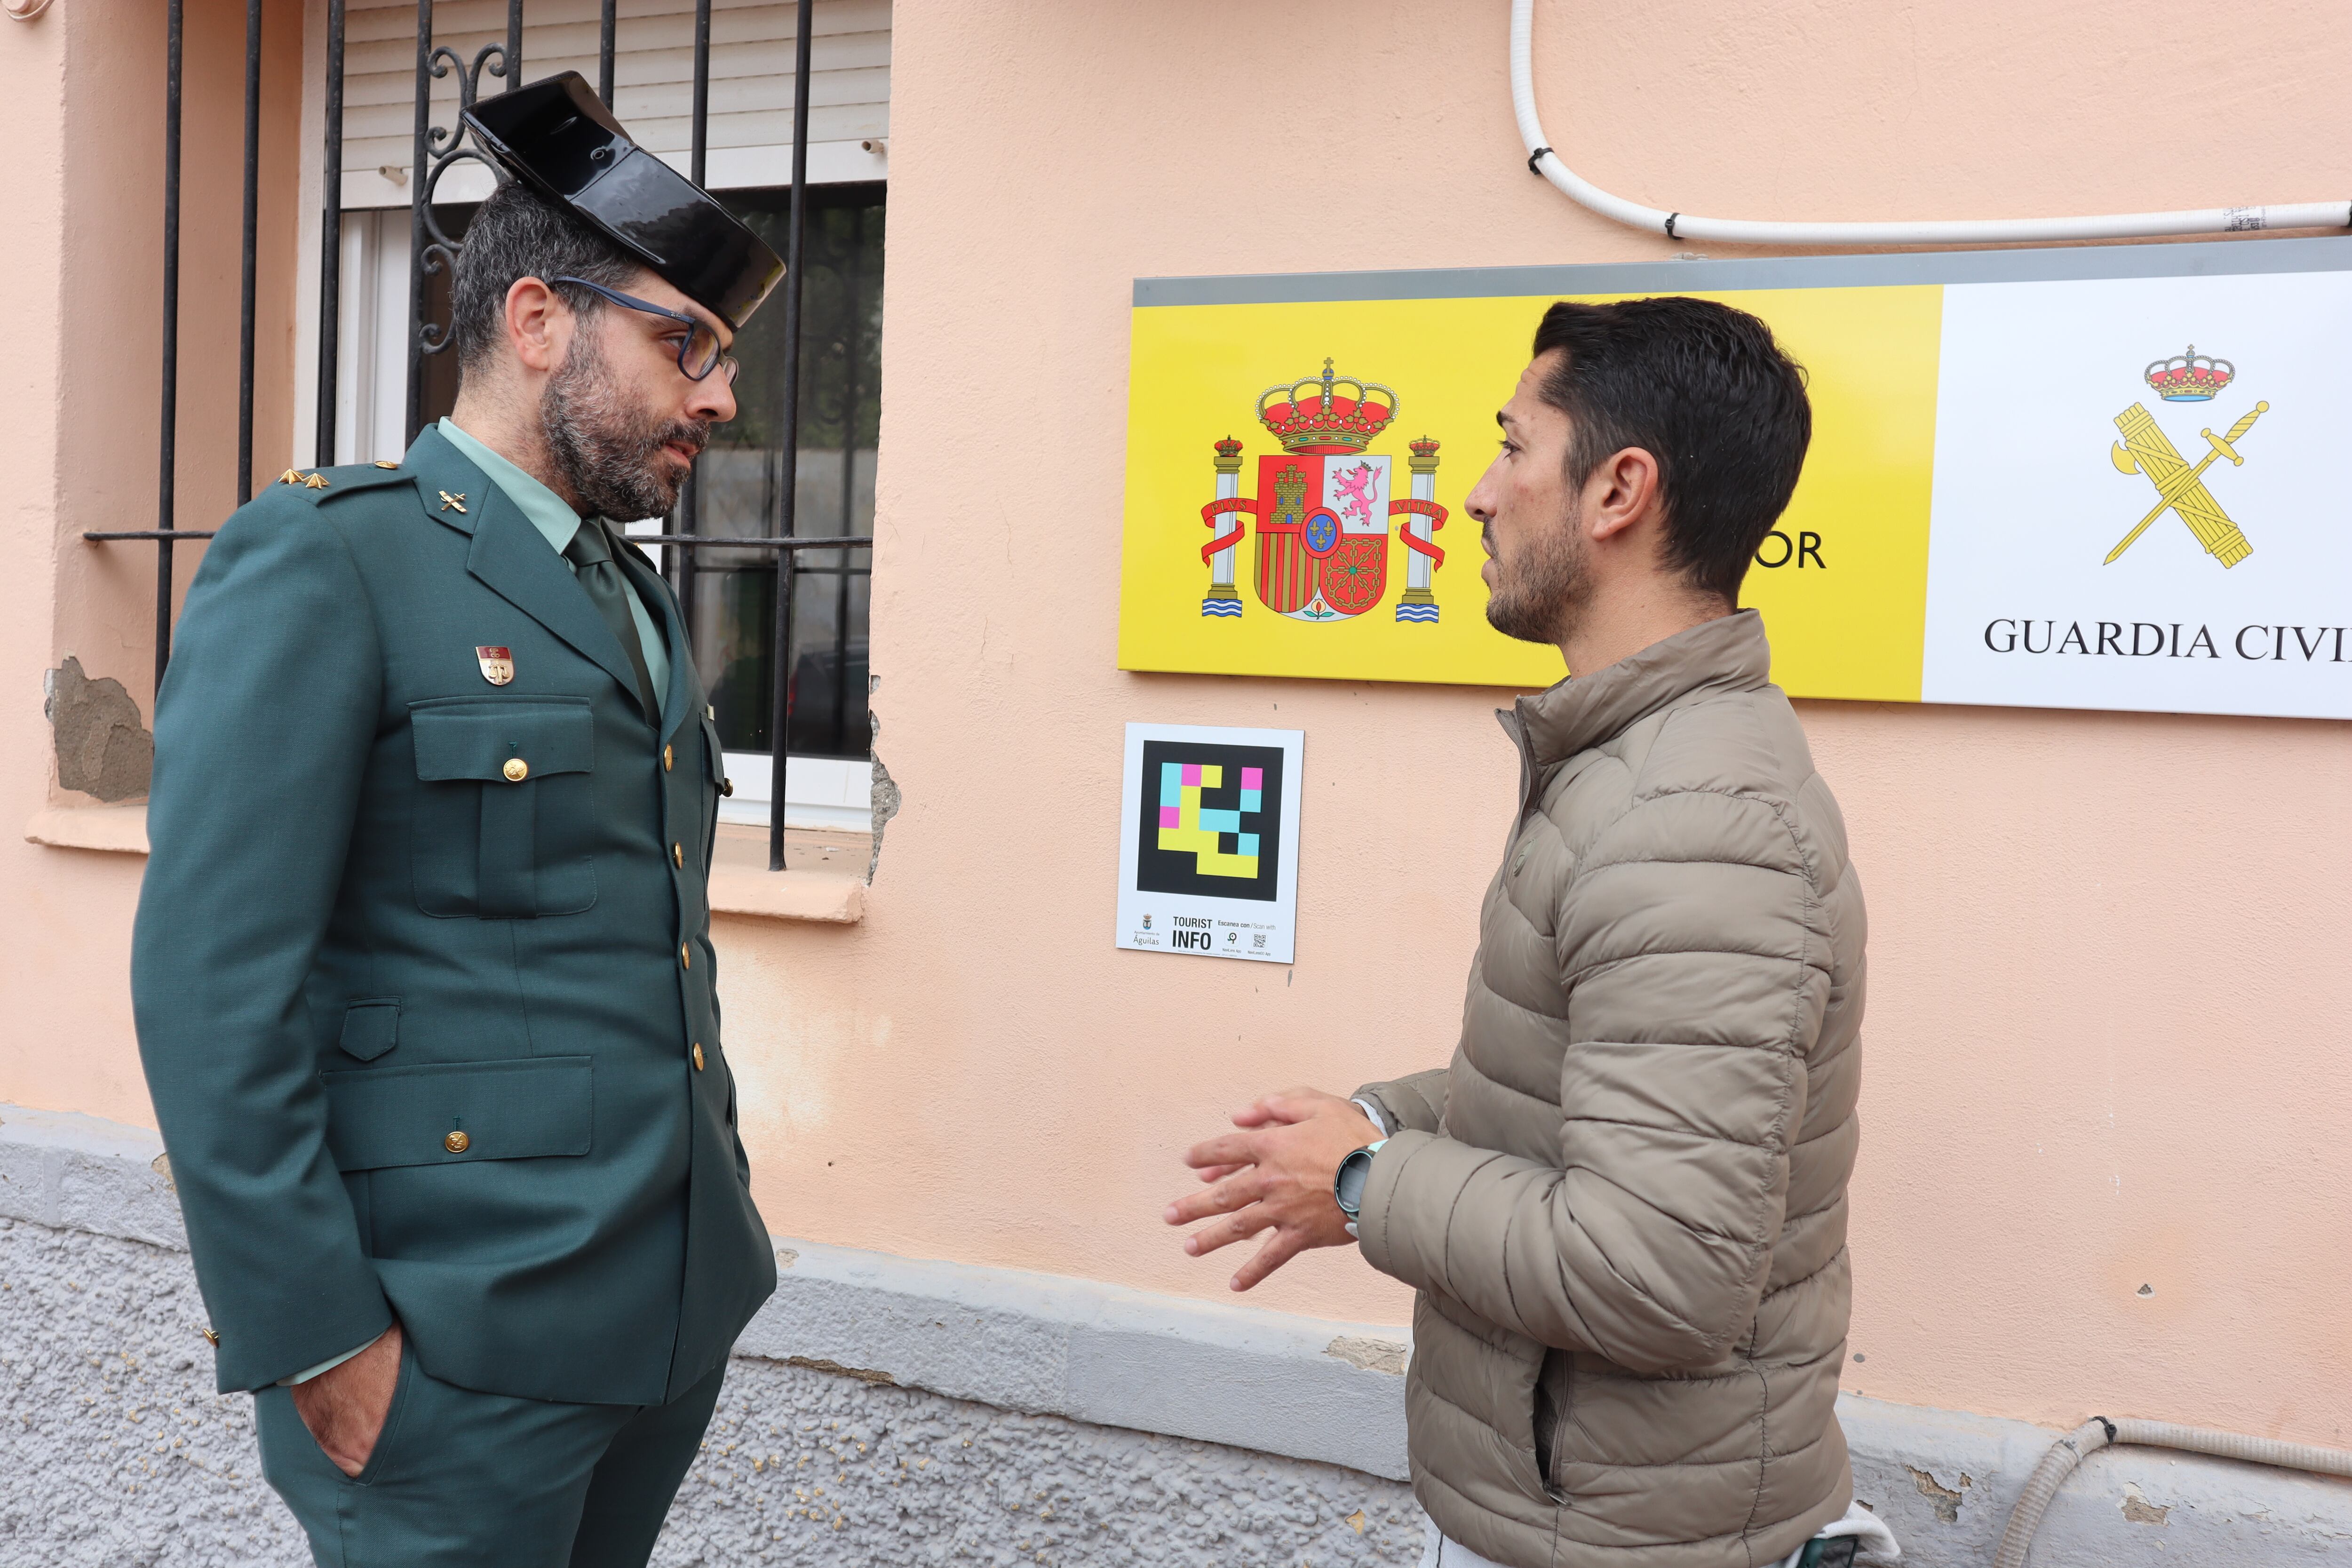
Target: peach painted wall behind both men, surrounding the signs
x=2106 y=1036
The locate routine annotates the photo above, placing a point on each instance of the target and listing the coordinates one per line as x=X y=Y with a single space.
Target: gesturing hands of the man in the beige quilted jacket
x=1276 y=1174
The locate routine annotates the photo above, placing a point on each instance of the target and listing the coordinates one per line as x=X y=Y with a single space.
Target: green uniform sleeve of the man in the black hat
x=262 y=744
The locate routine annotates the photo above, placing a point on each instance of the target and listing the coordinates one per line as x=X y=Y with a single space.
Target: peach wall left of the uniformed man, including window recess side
x=83 y=112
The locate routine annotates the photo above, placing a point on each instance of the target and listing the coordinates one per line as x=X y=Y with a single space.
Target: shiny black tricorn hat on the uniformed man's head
x=561 y=142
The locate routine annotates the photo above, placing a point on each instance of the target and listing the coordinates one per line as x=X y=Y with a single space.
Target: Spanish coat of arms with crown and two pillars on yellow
x=1325 y=507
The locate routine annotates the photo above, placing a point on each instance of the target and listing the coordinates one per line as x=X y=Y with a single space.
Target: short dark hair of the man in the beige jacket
x=1709 y=394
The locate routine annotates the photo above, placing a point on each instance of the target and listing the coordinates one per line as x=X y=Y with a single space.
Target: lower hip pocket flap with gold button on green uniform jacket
x=507 y=1111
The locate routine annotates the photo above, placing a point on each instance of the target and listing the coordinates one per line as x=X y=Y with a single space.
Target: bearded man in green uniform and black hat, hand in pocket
x=422 y=967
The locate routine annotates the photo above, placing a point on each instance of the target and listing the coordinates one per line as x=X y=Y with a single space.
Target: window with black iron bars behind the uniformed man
x=770 y=542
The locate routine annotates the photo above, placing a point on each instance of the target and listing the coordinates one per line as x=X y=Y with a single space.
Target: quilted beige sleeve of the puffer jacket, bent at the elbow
x=1695 y=986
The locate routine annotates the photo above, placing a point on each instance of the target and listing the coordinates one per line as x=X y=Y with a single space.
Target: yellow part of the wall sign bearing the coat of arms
x=1297 y=476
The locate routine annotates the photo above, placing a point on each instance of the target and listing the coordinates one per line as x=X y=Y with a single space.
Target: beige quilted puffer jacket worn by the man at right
x=1624 y=1205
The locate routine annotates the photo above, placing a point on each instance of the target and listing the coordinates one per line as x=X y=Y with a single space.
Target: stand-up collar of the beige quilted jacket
x=1579 y=713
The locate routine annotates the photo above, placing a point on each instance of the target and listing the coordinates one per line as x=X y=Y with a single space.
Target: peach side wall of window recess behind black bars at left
x=109 y=377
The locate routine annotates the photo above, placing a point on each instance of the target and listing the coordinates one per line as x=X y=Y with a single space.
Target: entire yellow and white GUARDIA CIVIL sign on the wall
x=1967 y=530
